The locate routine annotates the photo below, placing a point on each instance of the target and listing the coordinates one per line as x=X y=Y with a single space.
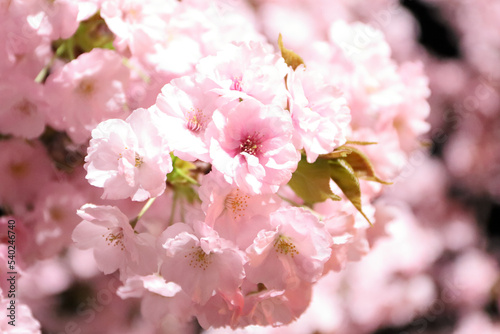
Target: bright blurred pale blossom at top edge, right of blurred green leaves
x=156 y=30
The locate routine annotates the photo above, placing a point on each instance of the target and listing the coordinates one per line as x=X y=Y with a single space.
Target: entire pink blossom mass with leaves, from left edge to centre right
x=216 y=173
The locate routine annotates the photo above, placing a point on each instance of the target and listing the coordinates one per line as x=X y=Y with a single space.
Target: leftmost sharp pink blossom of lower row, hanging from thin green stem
x=107 y=231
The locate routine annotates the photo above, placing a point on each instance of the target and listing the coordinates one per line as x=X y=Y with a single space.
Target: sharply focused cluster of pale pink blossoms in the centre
x=247 y=115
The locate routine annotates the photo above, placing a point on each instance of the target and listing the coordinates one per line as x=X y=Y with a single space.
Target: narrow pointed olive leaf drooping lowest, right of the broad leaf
x=344 y=176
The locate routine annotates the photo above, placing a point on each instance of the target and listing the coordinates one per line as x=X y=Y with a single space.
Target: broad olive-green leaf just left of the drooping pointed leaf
x=311 y=182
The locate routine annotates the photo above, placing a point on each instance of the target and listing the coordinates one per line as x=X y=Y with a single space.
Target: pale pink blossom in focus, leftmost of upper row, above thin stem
x=129 y=158
